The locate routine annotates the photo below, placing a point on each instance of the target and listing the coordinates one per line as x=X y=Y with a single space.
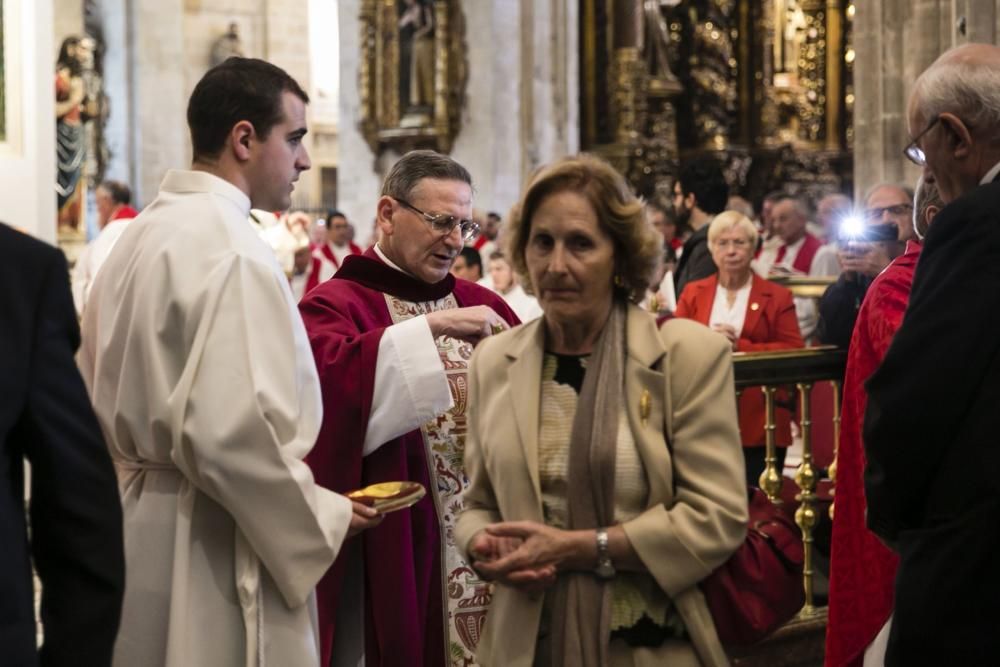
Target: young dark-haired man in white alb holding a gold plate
x=199 y=368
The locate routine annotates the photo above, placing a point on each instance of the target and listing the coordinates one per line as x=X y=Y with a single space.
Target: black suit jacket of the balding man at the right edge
x=936 y=387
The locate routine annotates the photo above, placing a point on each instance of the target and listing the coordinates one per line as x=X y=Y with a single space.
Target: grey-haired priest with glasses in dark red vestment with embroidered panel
x=392 y=333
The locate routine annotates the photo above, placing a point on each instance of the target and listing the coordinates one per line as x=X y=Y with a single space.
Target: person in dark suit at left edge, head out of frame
x=75 y=515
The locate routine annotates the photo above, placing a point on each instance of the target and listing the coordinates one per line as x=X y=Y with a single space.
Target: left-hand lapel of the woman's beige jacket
x=525 y=375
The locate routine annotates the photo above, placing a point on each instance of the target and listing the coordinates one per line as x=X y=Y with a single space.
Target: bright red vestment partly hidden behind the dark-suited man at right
x=862 y=569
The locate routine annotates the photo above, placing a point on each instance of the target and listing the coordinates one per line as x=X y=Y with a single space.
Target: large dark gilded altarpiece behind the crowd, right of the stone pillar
x=766 y=85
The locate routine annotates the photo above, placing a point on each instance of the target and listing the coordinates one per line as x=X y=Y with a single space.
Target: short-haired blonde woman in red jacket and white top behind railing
x=754 y=314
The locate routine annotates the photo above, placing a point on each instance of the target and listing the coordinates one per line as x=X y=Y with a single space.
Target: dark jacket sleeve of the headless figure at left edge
x=76 y=518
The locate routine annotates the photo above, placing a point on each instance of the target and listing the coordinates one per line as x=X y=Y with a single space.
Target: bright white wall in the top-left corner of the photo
x=27 y=159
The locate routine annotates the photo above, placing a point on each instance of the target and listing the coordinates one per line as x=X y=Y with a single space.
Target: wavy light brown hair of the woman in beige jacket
x=638 y=246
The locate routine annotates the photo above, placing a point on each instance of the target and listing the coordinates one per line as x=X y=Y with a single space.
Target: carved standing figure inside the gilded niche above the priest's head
x=416 y=60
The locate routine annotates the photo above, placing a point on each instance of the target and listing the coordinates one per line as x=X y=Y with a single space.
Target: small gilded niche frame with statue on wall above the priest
x=412 y=74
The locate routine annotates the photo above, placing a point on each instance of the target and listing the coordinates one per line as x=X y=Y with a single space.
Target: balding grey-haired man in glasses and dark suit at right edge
x=932 y=429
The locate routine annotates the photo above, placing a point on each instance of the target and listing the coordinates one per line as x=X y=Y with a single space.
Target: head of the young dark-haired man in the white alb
x=248 y=119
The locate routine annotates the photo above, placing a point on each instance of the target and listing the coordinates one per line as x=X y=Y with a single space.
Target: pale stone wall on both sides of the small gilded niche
x=520 y=102
